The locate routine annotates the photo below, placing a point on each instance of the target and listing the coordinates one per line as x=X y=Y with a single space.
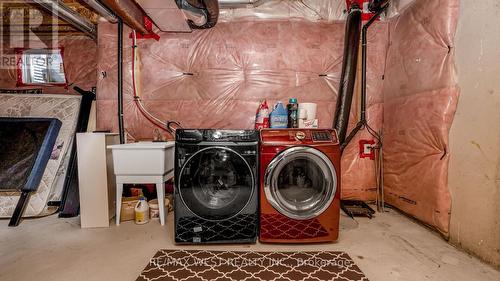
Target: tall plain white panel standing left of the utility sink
x=95 y=178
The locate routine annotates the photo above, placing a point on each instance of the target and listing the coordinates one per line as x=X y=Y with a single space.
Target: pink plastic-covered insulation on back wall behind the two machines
x=215 y=78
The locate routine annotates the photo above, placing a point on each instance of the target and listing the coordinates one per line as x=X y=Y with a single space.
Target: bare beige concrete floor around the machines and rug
x=388 y=247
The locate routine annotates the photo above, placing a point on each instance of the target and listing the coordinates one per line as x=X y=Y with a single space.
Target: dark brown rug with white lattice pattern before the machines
x=200 y=265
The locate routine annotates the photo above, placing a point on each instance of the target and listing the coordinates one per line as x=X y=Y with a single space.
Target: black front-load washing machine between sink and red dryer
x=216 y=186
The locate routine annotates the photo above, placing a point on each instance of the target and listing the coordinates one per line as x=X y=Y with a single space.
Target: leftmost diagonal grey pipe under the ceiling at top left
x=64 y=12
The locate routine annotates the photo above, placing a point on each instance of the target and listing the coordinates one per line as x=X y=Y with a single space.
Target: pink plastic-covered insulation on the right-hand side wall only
x=420 y=98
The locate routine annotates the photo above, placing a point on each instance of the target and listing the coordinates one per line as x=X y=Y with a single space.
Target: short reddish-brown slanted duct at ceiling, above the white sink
x=129 y=12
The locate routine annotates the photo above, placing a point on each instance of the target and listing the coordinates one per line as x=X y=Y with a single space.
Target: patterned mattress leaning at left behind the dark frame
x=63 y=107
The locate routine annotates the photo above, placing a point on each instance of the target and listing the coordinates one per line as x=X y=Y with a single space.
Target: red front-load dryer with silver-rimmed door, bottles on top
x=300 y=186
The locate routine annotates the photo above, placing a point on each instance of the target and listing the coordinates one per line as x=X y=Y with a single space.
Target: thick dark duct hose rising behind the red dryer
x=348 y=74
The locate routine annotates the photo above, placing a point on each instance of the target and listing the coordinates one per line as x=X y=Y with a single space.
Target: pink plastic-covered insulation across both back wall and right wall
x=215 y=78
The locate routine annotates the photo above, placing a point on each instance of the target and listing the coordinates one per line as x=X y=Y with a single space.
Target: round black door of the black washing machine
x=216 y=183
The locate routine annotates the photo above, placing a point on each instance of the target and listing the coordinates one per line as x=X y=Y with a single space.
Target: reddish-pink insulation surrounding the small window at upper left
x=80 y=62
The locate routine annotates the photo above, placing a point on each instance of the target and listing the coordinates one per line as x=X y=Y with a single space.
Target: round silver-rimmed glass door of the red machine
x=300 y=182
